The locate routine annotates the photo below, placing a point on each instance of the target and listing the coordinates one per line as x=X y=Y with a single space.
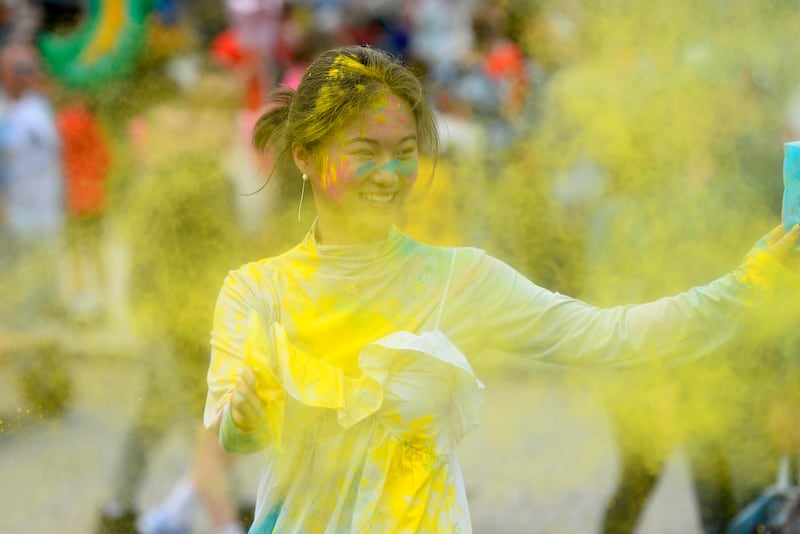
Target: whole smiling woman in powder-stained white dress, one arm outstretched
x=345 y=360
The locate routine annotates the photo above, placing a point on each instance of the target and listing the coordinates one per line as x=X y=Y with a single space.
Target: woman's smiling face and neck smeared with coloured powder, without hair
x=364 y=173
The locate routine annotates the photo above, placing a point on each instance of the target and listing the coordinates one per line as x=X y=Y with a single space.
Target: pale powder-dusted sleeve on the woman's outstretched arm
x=518 y=317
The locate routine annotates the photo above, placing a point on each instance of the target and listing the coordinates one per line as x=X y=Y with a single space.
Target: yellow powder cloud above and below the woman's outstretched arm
x=654 y=164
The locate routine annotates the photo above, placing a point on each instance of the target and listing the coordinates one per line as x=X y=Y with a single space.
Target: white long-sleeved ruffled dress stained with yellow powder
x=361 y=350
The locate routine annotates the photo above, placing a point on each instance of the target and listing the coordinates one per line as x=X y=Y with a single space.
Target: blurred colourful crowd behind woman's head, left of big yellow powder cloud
x=96 y=140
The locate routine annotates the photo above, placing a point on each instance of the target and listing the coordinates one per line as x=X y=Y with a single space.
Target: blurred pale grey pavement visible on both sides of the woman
x=542 y=461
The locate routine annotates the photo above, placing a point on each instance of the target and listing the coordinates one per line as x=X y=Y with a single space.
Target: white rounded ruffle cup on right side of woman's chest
x=431 y=393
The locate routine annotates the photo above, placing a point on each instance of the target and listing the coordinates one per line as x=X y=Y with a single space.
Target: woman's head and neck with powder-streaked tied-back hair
x=355 y=128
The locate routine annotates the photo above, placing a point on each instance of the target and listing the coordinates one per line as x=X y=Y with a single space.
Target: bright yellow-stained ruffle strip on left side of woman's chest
x=282 y=369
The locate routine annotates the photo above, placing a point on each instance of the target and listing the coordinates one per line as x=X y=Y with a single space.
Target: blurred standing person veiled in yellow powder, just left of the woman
x=183 y=236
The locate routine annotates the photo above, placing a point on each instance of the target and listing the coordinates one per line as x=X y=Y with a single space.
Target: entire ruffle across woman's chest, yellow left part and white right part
x=421 y=387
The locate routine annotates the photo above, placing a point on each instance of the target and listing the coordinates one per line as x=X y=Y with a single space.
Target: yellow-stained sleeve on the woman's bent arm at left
x=238 y=300
